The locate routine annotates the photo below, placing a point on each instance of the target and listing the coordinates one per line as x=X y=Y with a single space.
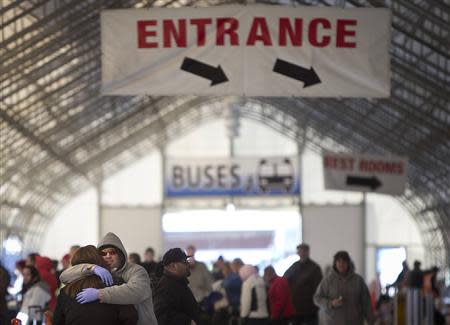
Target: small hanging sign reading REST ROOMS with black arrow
x=365 y=173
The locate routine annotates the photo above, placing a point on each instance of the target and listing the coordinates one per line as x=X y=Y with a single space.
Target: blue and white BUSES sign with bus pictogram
x=232 y=176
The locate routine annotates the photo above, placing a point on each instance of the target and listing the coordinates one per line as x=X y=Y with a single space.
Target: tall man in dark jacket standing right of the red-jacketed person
x=304 y=277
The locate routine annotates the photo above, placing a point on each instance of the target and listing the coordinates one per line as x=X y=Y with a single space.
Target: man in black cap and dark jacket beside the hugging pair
x=174 y=303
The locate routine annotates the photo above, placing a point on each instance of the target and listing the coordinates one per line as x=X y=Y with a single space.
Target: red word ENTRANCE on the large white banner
x=318 y=32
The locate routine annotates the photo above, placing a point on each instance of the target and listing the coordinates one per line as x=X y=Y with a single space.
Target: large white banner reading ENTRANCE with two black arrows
x=246 y=50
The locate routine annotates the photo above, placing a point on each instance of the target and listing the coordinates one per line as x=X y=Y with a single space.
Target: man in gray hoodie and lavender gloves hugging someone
x=136 y=289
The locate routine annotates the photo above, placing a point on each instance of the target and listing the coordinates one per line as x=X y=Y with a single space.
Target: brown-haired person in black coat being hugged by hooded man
x=70 y=312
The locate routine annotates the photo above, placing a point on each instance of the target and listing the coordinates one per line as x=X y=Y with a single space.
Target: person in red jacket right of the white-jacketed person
x=280 y=300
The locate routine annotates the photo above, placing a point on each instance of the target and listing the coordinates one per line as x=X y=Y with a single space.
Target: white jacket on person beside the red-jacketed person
x=254 y=281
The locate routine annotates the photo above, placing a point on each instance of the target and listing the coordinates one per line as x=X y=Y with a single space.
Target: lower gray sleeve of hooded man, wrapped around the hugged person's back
x=135 y=291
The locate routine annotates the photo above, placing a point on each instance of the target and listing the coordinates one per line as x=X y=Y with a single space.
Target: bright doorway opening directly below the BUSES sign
x=258 y=237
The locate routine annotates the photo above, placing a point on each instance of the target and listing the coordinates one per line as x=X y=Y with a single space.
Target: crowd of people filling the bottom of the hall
x=105 y=285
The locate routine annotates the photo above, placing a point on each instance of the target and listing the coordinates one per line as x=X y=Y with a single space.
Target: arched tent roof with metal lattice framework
x=59 y=136
